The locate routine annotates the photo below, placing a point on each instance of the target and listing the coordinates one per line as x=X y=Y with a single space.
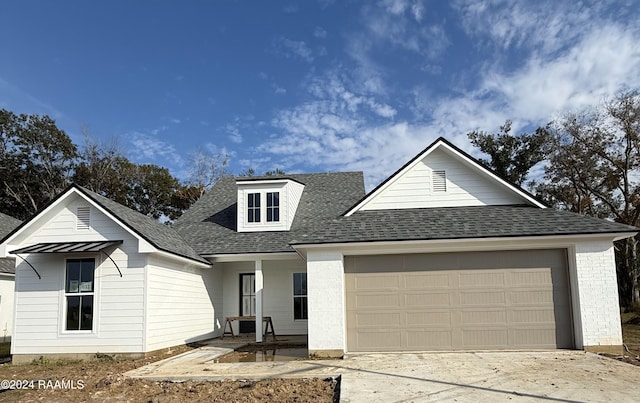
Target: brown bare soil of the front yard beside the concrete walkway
x=102 y=380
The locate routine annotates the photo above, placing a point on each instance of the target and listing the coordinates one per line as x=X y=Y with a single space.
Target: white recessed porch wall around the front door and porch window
x=277 y=293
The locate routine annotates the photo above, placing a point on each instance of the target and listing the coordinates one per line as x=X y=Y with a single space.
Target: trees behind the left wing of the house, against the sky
x=38 y=161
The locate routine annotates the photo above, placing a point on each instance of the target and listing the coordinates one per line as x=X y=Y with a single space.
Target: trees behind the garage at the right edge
x=589 y=163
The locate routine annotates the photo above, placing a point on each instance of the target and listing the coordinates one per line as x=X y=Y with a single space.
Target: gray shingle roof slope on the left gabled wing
x=159 y=235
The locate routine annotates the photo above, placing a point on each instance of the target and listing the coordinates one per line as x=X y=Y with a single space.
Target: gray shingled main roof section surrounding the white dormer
x=210 y=225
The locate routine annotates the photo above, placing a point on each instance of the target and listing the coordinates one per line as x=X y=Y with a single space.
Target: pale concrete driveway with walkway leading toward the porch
x=560 y=376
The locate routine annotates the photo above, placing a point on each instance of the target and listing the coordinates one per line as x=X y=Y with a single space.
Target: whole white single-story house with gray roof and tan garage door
x=443 y=255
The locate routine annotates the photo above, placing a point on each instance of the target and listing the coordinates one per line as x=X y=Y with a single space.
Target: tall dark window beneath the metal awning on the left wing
x=79 y=293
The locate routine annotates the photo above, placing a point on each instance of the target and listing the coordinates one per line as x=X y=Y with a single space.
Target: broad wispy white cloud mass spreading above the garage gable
x=346 y=125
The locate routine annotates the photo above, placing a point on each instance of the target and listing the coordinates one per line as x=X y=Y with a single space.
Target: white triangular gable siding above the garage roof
x=465 y=186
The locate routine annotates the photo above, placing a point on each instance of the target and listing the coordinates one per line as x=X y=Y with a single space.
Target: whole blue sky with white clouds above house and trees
x=309 y=86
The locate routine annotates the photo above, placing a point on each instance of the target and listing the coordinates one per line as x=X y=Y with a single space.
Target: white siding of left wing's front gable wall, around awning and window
x=118 y=325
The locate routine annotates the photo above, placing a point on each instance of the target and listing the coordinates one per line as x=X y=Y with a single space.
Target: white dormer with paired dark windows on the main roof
x=267 y=204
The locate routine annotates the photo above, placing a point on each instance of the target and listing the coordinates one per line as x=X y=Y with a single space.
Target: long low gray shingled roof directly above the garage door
x=457 y=223
